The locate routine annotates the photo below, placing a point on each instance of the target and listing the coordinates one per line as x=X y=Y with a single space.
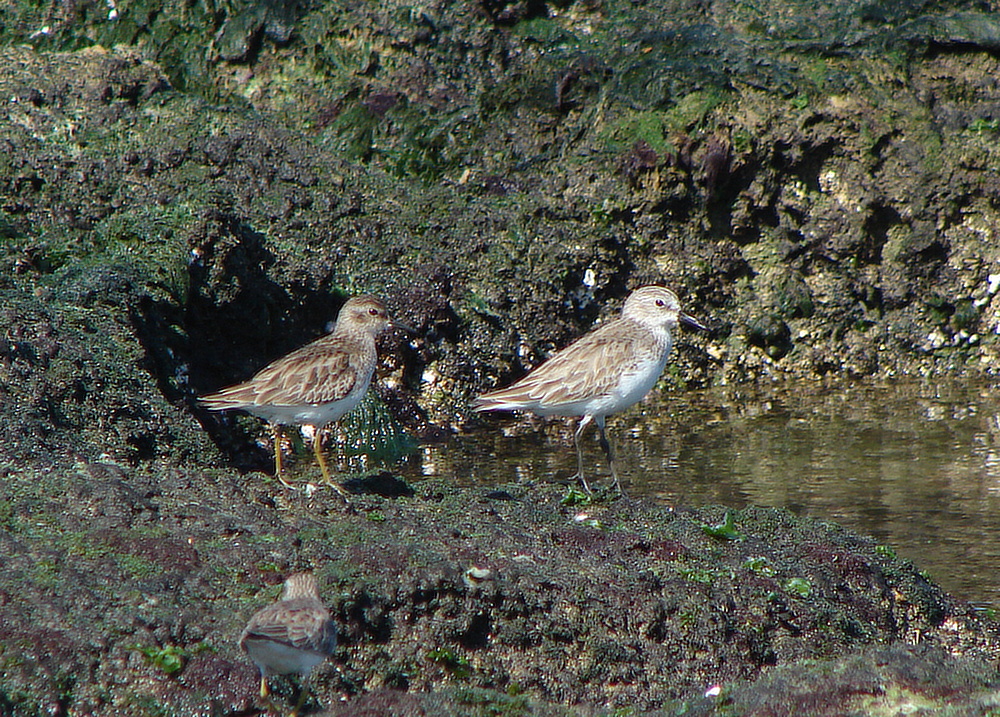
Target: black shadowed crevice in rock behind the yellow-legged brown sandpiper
x=234 y=321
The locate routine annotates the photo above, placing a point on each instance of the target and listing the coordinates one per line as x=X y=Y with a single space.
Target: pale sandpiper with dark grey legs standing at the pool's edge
x=603 y=372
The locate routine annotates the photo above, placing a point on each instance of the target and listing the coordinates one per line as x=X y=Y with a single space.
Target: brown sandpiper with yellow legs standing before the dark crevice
x=316 y=384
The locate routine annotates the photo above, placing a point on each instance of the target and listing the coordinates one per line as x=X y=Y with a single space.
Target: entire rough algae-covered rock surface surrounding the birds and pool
x=187 y=192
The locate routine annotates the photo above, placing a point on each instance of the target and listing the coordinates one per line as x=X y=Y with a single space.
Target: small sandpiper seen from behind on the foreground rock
x=291 y=636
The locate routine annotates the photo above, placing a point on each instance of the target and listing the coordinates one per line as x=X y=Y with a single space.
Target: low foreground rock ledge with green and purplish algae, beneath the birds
x=485 y=599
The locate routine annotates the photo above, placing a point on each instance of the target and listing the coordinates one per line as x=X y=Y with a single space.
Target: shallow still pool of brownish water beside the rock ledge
x=916 y=465
